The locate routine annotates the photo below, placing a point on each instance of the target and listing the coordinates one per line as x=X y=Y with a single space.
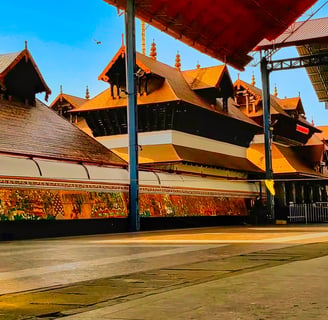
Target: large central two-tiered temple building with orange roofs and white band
x=187 y=120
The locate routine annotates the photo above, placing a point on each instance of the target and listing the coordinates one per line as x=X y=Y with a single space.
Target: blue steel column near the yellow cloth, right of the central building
x=267 y=134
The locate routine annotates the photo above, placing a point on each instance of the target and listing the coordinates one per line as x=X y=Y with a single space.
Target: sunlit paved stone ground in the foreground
x=243 y=273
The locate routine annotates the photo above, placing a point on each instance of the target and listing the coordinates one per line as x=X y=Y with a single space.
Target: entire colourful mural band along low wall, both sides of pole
x=35 y=204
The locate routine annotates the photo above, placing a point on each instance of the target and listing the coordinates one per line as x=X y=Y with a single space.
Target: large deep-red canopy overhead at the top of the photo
x=224 y=29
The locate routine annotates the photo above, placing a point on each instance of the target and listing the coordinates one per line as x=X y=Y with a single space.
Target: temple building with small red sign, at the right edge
x=299 y=155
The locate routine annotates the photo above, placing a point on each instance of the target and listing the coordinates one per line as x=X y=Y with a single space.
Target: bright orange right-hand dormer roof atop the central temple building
x=203 y=78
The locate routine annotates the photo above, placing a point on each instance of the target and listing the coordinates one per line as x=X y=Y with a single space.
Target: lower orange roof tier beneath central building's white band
x=170 y=153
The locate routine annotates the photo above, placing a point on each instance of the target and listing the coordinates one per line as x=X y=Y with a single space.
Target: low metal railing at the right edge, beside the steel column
x=308 y=213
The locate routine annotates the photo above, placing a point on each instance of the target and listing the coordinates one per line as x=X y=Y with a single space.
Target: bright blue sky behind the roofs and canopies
x=61 y=38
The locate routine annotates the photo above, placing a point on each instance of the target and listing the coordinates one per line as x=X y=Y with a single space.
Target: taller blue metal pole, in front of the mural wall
x=130 y=65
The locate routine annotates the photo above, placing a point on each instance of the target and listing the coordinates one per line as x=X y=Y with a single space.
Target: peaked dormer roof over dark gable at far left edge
x=9 y=61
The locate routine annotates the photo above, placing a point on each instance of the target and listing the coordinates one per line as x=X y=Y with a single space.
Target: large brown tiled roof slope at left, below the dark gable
x=38 y=131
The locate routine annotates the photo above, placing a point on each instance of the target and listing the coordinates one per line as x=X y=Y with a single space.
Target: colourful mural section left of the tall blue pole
x=27 y=204
